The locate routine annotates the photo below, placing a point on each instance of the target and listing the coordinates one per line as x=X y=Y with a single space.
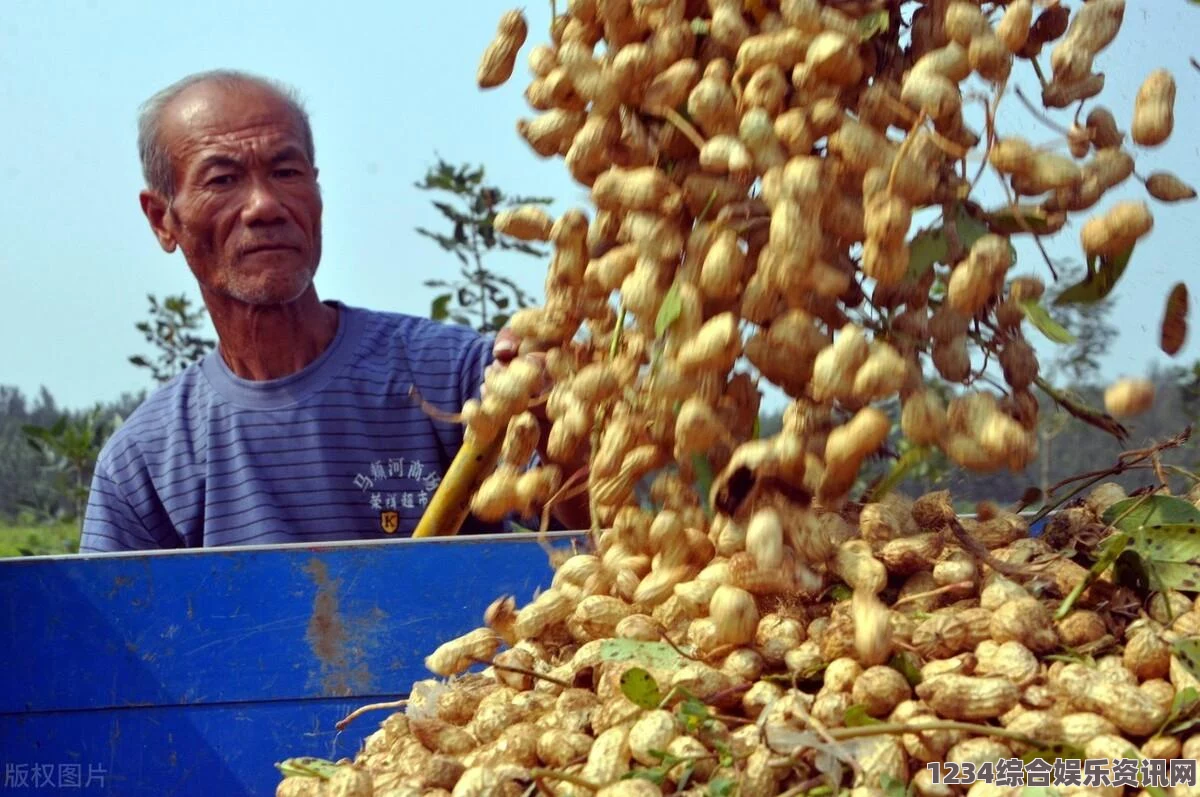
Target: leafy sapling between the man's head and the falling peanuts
x=482 y=298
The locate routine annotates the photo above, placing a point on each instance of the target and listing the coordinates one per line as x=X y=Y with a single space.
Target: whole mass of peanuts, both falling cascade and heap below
x=755 y=169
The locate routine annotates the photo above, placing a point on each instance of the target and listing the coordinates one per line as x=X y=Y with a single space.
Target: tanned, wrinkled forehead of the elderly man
x=231 y=121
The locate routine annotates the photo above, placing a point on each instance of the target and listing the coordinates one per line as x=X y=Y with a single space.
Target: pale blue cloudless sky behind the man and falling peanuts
x=389 y=86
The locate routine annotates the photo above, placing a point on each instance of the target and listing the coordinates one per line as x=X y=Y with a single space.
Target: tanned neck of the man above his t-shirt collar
x=263 y=344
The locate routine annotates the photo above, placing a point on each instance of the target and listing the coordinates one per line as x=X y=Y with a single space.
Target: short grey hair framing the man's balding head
x=183 y=103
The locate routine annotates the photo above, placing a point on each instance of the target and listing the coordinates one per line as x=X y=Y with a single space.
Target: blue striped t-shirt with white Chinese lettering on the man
x=338 y=452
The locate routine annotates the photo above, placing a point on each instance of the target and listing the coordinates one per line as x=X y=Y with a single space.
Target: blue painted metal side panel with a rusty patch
x=194 y=673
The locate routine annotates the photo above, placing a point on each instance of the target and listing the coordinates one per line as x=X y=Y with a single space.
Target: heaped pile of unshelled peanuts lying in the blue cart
x=928 y=638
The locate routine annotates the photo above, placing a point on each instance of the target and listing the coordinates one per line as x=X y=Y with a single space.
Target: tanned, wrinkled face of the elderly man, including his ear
x=247 y=211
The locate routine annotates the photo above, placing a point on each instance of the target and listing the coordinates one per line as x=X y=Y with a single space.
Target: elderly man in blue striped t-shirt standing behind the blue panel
x=299 y=427
